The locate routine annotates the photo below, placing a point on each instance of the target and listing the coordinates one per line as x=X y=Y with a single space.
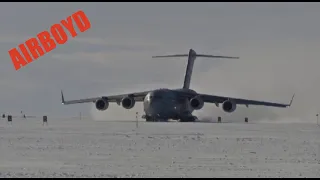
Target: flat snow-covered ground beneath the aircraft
x=87 y=148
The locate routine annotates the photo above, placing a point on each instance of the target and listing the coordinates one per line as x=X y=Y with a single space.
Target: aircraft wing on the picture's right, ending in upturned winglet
x=220 y=99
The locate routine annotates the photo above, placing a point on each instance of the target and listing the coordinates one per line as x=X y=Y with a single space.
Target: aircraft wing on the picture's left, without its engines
x=138 y=96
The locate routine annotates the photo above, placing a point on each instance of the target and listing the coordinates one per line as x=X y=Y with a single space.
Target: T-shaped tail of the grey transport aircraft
x=191 y=58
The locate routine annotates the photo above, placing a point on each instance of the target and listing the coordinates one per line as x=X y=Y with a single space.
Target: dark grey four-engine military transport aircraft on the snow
x=176 y=104
